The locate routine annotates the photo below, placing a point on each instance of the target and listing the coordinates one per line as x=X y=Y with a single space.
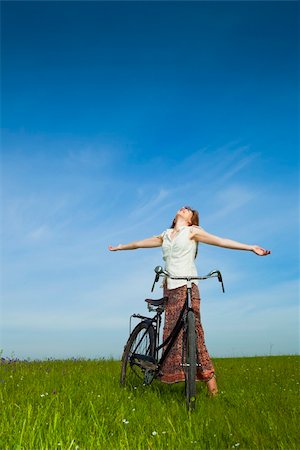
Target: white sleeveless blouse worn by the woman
x=179 y=254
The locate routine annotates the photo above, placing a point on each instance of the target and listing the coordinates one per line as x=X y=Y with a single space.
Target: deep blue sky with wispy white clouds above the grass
x=114 y=115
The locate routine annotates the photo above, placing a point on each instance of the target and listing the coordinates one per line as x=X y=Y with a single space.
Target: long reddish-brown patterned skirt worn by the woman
x=171 y=371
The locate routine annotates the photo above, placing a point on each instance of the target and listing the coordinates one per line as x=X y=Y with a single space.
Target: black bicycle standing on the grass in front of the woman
x=145 y=354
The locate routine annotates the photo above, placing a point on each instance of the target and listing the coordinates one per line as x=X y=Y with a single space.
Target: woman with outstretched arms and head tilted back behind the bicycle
x=179 y=245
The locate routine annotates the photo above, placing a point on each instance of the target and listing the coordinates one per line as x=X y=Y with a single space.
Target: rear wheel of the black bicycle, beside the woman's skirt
x=142 y=342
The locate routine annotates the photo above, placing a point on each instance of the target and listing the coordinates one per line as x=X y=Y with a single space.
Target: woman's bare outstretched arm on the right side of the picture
x=207 y=238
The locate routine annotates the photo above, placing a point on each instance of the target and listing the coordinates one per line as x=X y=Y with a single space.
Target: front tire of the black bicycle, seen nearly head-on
x=190 y=362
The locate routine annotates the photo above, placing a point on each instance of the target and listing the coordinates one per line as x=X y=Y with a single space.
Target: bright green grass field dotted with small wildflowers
x=78 y=404
